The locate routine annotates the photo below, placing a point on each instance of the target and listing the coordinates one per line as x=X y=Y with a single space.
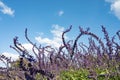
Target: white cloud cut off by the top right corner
x=115 y=7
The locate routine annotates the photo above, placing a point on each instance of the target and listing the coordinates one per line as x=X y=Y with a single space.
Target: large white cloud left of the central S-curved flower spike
x=56 y=41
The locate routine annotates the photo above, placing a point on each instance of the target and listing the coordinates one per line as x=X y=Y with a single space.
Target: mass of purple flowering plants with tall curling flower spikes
x=71 y=61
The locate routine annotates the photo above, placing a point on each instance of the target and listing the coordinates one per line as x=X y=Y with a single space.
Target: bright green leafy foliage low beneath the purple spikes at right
x=82 y=74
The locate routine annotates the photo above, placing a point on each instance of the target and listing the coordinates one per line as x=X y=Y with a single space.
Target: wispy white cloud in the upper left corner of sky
x=5 y=9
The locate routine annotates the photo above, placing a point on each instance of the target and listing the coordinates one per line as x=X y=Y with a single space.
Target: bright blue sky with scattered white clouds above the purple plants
x=46 y=19
